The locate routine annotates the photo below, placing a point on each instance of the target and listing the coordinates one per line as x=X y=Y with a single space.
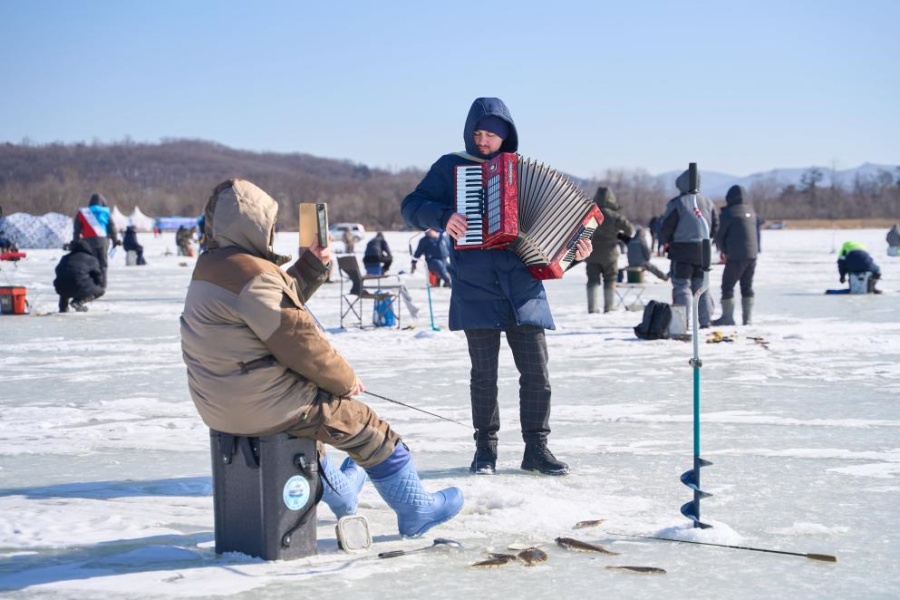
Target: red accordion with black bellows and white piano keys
x=526 y=207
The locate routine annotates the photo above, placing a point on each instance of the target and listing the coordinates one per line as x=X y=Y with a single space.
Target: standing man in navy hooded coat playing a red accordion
x=493 y=292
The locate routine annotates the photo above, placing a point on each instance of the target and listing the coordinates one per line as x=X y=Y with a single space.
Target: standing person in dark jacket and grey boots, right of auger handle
x=738 y=241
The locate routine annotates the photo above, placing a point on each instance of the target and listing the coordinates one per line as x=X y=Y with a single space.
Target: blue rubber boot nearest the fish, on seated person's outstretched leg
x=397 y=482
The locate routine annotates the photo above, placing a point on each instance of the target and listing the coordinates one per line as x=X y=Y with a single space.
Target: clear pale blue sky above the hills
x=738 y=87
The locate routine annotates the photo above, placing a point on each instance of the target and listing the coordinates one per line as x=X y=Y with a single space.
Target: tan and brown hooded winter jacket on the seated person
x=255 y=356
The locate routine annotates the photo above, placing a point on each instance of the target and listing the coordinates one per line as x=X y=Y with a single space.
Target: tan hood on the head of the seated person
x=240 y=214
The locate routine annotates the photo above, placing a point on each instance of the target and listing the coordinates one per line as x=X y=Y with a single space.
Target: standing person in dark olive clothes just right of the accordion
x=604 y=258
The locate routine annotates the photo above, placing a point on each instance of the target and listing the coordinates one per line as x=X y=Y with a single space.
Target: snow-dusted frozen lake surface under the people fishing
x=105 y=488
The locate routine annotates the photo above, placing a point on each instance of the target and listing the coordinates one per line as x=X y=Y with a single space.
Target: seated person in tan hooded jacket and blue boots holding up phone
x=258 y=364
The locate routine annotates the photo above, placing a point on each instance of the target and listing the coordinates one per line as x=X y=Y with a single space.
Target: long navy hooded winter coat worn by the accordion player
x=491 y=288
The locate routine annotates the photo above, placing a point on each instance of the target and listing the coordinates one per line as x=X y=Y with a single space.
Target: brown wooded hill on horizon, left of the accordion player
x=176 y=177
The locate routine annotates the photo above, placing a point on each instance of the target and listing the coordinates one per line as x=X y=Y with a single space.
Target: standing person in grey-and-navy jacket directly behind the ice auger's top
x=682 y=232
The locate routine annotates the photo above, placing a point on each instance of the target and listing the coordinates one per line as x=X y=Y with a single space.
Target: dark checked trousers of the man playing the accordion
x=529 y=348
